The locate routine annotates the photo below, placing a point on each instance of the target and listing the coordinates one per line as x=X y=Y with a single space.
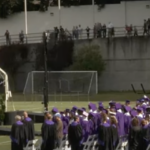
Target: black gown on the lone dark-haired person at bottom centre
x=74 y=135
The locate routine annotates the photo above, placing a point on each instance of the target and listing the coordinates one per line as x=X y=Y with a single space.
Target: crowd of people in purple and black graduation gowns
x=78 y=123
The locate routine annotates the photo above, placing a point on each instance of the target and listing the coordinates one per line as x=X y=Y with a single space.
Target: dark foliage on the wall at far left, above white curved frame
x=11 y=58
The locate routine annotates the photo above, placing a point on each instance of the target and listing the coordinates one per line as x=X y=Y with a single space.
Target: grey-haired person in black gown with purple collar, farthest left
x=18 y=135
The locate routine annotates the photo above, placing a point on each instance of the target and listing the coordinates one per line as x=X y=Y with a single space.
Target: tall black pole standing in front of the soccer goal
x=45 y=90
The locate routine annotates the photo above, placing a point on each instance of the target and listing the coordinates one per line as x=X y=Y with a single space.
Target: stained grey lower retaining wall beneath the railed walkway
x=127 y=62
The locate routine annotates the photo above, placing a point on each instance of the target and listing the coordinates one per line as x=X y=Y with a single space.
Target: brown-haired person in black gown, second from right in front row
x=135 y=135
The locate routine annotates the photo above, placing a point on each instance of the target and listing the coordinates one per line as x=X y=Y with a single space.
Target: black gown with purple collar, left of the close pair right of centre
x=104 y=137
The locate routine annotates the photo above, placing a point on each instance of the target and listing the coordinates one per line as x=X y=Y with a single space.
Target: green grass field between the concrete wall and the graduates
x=19 y=102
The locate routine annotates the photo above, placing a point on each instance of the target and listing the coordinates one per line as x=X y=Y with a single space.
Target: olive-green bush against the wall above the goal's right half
x=88 y=57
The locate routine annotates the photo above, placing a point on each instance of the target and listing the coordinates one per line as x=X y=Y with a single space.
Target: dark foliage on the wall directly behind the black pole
x=59 y=55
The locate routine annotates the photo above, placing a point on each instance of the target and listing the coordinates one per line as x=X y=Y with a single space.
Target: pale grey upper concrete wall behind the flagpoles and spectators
x=119 y=14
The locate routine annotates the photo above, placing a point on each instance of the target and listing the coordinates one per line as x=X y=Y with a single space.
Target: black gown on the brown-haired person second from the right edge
x=135 y=138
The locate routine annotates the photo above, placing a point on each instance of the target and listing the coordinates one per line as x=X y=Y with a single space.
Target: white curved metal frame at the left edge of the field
x=4 y=82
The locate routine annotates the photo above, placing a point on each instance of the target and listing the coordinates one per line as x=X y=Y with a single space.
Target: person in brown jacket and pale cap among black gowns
x=59 y=130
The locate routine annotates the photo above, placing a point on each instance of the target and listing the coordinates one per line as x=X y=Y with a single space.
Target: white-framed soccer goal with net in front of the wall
x=62 y=84
